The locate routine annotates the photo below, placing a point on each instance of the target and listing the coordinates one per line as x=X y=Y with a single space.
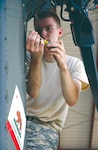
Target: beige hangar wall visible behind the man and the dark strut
x=77 y=137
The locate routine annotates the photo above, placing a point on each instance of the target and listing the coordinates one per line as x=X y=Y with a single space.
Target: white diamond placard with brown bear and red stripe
x=16 y=122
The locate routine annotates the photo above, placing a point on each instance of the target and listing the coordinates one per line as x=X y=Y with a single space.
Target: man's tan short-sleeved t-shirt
x=50 y=105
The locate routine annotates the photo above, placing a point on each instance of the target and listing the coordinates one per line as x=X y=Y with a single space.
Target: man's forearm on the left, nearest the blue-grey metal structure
x=34 y=78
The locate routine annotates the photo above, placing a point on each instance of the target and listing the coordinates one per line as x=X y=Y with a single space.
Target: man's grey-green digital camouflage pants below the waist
x=41 y=137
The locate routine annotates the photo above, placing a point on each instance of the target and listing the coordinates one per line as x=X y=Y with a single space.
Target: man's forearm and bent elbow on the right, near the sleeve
x=70 y=87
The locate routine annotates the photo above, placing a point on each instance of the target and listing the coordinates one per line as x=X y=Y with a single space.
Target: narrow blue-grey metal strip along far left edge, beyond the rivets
x=2 y=77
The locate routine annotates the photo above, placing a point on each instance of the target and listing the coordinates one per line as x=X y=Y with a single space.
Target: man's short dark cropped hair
x=46 y=14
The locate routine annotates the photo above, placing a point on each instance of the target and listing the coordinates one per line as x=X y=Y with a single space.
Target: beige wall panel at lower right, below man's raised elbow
x=76 y=132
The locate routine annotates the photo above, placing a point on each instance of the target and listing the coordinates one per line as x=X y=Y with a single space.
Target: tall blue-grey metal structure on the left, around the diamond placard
x=12 y=61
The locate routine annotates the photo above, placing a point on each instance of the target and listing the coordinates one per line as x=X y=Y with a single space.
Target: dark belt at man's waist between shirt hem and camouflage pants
x=37 y=120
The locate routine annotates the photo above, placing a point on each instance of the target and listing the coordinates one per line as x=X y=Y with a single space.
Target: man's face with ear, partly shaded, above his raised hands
x=48 y=29
